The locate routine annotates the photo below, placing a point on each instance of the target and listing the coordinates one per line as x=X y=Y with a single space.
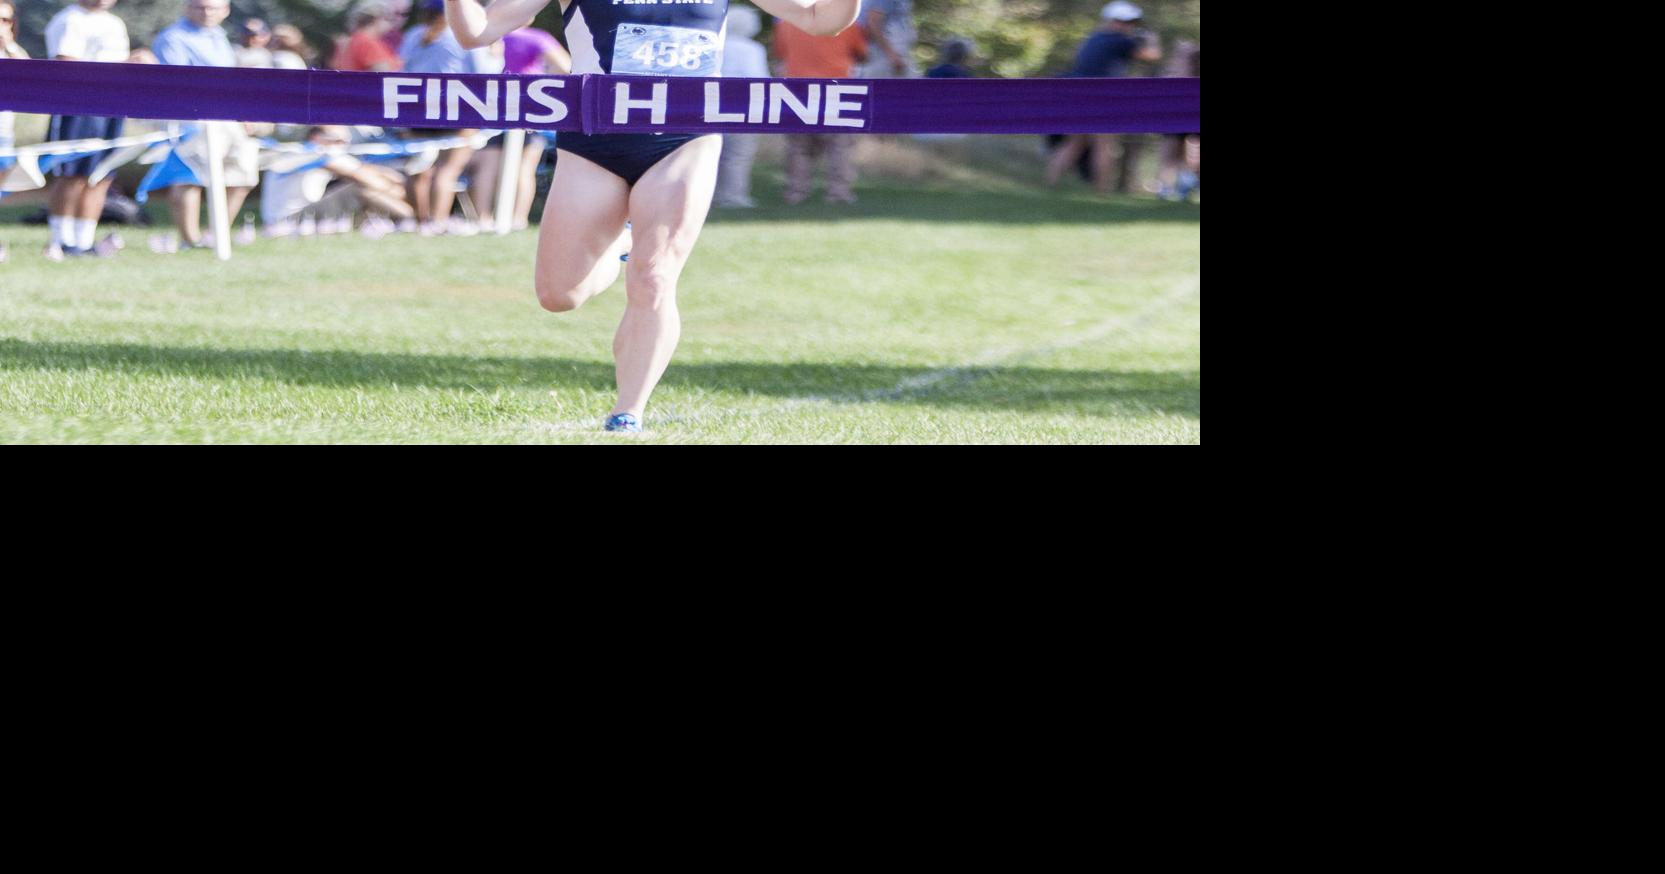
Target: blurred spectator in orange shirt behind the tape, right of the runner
x=820 y=57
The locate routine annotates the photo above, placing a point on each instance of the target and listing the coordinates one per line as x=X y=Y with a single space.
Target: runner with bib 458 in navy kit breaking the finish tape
x=662 y=184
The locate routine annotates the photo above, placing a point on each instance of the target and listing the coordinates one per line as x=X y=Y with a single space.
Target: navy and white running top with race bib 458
x=647 y=37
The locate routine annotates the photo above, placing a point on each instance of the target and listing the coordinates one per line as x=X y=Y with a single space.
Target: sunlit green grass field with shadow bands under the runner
x=950 y=309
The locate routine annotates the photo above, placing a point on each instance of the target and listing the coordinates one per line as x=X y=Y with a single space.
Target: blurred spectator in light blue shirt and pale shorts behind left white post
x=199 y=41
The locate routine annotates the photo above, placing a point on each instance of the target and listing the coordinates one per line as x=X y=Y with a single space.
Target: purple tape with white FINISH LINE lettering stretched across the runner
x=595 y=104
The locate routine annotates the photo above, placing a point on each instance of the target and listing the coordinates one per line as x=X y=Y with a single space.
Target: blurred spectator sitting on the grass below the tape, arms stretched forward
x=297 y=186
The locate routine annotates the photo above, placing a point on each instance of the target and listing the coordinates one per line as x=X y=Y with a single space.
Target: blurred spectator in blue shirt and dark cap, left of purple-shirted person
x=430 y=47
